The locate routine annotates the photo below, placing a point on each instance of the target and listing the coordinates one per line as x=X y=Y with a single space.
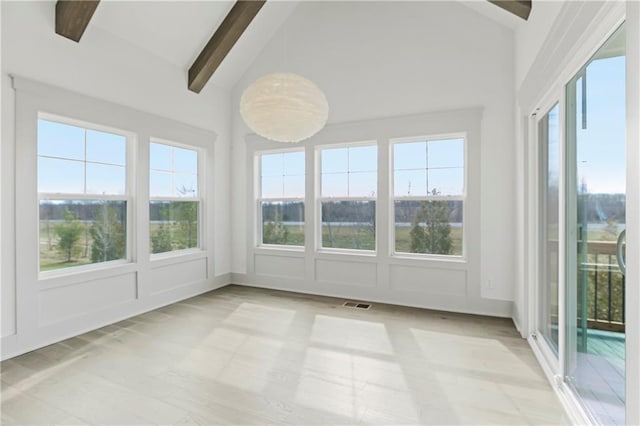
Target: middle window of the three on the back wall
x=349 y=183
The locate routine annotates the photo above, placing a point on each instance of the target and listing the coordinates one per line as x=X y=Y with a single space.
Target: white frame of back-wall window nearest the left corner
x=258 y=199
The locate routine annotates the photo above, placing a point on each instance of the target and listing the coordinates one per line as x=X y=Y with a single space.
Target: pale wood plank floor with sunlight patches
x=249 y=356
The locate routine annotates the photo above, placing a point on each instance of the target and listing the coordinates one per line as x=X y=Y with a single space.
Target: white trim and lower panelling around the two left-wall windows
x=137 y=286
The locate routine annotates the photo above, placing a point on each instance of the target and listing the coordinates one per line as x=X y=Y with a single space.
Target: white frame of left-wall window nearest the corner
x=201 y=155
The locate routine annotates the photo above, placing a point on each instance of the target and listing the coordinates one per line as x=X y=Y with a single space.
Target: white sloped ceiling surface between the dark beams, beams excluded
x=176 y=31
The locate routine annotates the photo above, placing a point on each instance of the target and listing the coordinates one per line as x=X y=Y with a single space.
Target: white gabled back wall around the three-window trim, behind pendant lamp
x=383 y=59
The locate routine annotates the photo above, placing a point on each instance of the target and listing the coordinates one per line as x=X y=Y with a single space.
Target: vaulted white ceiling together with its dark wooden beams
x=178 y=31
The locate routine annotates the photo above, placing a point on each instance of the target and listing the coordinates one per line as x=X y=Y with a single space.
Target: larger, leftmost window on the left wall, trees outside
x=82 y=191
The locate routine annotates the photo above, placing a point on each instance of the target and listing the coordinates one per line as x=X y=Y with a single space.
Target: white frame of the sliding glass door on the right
x=555 y=91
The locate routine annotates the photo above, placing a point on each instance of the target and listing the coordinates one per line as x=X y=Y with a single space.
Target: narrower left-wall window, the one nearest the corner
x=174 y=203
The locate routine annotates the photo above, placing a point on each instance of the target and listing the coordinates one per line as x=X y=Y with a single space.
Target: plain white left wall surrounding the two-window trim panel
x=106 y=68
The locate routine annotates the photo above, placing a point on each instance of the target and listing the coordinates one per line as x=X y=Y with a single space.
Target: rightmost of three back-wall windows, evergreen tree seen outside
x=429 y=194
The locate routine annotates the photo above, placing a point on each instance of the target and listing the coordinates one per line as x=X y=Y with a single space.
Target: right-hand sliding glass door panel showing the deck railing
x=595 y=231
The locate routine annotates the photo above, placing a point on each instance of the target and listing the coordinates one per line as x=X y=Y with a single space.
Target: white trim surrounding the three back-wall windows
x=380 y=131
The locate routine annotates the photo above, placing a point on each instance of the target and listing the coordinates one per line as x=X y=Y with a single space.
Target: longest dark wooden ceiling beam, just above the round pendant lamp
x=222 y=41
